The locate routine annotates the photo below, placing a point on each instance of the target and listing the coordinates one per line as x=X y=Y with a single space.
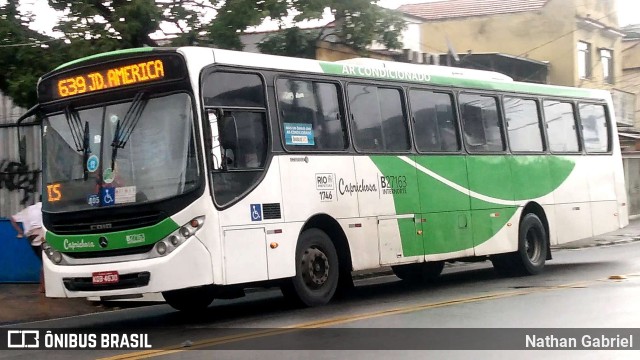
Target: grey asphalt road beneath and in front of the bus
x=594 y=288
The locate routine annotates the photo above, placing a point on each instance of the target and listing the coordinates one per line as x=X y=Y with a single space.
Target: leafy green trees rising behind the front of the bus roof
x=94 y=26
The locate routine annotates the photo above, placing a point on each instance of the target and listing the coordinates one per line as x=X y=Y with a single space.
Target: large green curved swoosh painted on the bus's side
x=453 y=220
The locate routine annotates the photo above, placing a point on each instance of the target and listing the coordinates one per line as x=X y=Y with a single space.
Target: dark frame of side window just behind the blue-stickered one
x=405 y=112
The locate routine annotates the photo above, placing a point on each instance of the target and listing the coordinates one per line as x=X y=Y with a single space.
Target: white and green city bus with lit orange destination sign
x=192 y=172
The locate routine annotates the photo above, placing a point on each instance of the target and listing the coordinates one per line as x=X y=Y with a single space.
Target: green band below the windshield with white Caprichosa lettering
x=116 y=240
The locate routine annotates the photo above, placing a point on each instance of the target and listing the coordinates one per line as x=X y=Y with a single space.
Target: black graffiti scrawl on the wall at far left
x=16 y=176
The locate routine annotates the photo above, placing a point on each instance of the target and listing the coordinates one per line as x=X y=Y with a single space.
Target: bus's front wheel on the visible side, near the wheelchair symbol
x=317 y=270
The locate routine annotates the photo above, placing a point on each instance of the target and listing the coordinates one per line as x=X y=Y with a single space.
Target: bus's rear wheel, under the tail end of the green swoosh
x=532 y=250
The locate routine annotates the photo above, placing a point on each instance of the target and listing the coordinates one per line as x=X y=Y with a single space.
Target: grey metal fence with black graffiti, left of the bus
x=20 y=160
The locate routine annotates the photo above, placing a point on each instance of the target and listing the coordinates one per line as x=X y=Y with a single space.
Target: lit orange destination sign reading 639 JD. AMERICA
x=113 y=75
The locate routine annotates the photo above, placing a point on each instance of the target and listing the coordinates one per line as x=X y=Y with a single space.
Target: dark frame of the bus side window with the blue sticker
x=341 y=105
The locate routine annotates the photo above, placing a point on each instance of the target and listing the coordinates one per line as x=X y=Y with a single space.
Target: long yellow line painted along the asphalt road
x=340 y=320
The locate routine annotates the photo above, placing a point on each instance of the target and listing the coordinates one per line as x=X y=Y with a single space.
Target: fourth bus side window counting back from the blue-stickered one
x=481 y=123
